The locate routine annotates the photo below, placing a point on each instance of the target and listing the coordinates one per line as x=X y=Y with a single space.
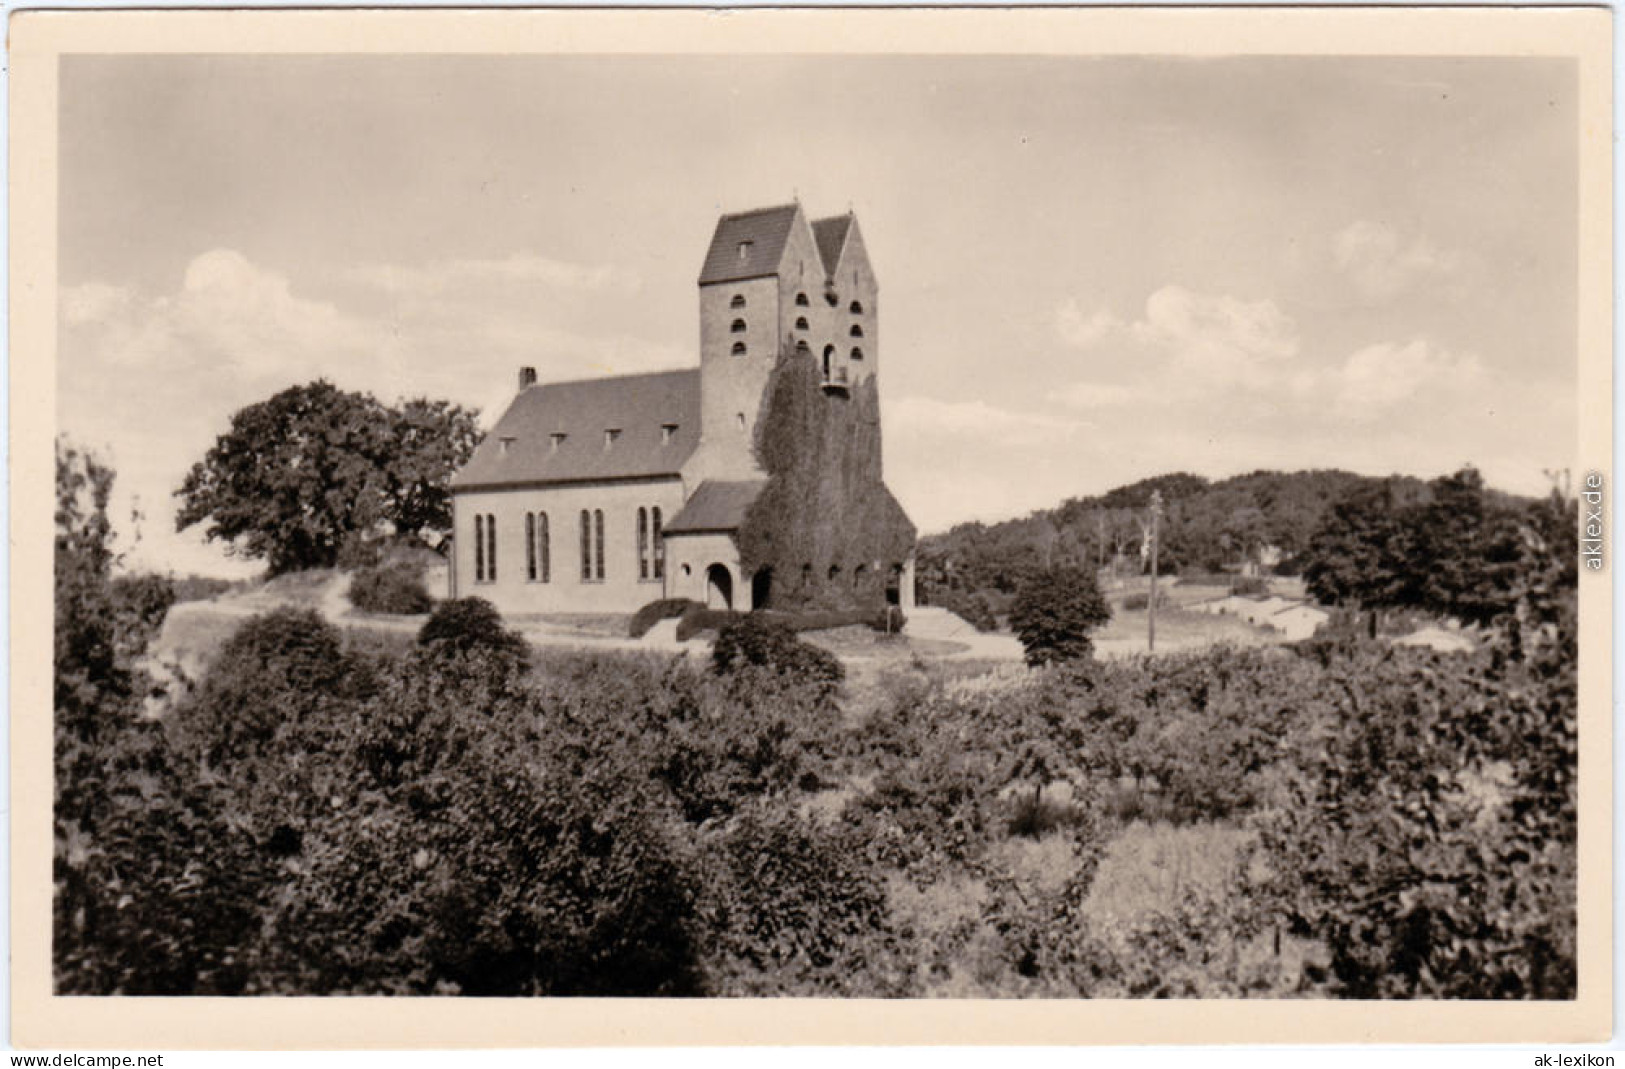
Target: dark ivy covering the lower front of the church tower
x=825 y=524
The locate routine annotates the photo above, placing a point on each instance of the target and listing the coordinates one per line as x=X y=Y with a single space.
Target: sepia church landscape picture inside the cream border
x=821 y=524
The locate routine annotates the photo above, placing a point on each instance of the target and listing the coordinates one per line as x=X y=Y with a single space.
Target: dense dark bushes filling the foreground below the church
x=461 y=815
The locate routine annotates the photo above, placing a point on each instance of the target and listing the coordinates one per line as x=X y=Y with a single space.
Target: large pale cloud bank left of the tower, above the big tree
x=152 y=381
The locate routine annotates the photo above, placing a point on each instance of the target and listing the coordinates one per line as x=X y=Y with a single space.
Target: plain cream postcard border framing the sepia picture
x=37 y=43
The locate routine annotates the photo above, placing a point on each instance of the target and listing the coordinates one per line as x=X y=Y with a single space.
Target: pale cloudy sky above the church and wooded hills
x=1091 y=270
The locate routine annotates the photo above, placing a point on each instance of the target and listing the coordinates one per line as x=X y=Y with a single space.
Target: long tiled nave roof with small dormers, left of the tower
x=521 y=451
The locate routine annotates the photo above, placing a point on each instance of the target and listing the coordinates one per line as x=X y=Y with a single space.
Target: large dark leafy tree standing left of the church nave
x=306 y=470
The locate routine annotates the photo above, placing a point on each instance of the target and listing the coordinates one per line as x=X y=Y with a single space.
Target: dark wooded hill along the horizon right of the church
x=1288 y=524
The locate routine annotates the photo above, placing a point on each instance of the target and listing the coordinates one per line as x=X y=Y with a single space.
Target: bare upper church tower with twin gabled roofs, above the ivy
x=776 y=282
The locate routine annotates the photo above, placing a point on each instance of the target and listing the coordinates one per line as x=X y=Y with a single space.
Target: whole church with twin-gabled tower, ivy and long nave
x=605 y=495
